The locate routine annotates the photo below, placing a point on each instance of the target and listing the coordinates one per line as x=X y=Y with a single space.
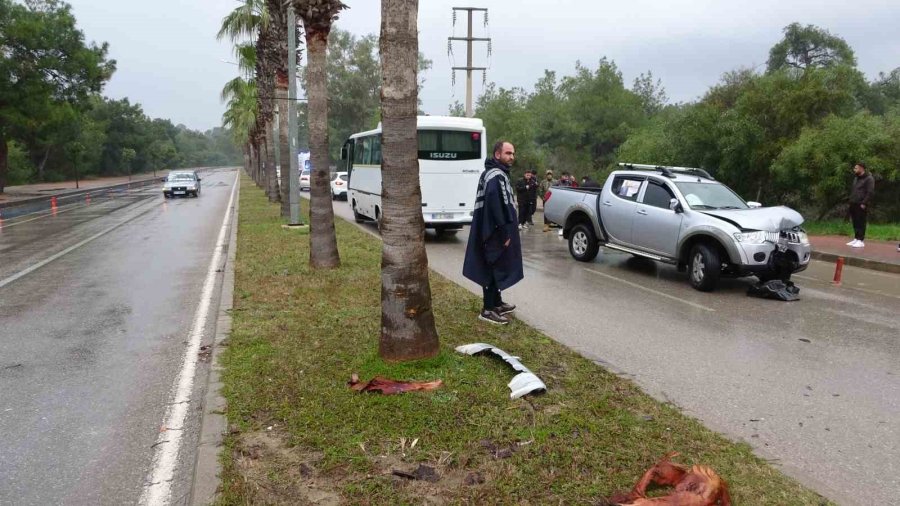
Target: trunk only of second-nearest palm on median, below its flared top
x=323 y=252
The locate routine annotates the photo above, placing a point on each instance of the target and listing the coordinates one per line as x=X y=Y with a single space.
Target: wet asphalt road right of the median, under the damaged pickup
x=813 y=385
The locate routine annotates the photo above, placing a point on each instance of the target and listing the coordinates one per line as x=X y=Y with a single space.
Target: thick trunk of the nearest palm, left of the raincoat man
x=407 y=319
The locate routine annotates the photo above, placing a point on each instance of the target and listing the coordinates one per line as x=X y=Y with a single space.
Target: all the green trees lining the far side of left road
x=56 y=125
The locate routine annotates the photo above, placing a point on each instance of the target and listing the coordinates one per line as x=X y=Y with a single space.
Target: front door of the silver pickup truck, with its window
x=656 y=227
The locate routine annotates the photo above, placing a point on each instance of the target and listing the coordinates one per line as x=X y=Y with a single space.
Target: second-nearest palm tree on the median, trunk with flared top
x=318 y=16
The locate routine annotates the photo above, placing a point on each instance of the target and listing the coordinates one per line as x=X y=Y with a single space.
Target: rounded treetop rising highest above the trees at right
x=809 y=46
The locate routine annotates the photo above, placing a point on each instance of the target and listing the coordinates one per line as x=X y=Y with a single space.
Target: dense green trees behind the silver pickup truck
x=787 y=133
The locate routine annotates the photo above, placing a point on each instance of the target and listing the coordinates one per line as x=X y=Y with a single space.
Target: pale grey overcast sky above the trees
x=170 y=62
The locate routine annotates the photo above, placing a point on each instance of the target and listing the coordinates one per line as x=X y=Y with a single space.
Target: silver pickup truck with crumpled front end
x=684 y=217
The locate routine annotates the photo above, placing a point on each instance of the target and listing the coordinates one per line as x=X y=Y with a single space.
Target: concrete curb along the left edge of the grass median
x=213 y=424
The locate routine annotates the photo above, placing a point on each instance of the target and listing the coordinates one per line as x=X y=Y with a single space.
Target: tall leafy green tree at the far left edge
x=43 y=60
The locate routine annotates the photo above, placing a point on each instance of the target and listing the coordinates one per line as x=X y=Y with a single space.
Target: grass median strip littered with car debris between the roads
x=300 y=435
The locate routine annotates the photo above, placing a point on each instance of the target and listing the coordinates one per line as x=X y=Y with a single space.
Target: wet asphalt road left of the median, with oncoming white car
x=91 y=342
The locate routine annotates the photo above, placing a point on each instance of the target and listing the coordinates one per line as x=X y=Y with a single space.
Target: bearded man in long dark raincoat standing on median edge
x=494 y=253
